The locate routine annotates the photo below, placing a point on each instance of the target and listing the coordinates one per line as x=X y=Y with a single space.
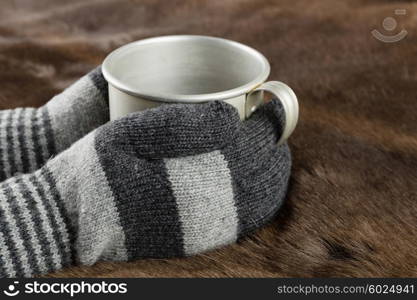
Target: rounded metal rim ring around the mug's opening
x=163 y=97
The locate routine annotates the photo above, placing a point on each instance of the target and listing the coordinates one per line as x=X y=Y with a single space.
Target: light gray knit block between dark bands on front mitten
x=202 y=187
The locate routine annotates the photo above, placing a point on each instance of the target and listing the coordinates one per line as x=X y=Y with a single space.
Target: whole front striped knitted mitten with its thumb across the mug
x=171 y=181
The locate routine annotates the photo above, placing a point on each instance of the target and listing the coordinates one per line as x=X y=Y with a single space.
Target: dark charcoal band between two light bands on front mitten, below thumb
x=144 y=200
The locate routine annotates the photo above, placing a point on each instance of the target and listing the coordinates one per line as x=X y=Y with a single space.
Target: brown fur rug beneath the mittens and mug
x=352 y=204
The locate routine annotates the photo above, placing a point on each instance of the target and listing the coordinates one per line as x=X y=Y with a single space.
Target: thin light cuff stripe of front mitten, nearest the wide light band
x=46 y=224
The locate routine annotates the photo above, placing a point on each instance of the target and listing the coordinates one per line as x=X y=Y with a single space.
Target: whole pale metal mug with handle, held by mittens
x=192 y=69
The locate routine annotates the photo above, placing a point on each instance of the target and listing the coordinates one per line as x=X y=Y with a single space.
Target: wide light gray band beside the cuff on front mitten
x=96 y=202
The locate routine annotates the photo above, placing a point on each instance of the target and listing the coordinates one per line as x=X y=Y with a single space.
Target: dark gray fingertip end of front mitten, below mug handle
x=259 y=168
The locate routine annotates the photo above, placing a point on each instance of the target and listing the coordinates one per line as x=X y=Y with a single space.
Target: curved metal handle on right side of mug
x=288 y=100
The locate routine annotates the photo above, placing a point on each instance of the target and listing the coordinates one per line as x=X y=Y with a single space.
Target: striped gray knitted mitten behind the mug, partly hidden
x=30 y=136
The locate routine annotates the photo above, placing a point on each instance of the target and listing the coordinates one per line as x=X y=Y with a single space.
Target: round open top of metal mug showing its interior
x=186 y=68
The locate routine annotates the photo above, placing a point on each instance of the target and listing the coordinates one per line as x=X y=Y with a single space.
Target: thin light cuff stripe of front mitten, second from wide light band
x=26 y=214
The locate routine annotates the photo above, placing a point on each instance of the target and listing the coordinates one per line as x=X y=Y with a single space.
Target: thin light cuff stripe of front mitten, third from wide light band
x=17 y=239
